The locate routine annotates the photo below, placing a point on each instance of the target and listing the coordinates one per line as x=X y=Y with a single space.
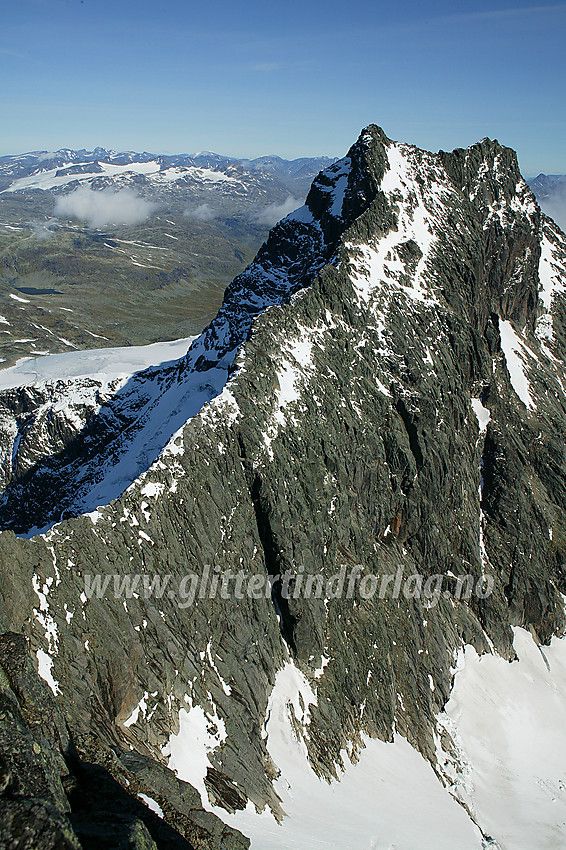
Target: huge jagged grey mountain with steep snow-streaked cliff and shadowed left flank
x=381 y=394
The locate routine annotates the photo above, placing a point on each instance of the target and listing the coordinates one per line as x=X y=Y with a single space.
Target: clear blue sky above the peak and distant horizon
x=298 y=78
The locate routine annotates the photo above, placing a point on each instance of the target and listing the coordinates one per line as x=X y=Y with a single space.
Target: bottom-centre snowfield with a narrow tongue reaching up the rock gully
x=390 y=799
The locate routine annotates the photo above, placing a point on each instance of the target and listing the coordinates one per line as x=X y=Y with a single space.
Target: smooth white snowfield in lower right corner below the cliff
x=508 y=721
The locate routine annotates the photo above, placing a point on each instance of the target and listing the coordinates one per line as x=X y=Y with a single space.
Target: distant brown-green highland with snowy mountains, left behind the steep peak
x=104 y=248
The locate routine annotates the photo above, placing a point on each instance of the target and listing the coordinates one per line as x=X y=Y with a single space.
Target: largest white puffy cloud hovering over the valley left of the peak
x=108 y=206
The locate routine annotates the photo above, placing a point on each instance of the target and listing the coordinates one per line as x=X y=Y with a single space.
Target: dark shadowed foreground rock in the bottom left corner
x=51 y=799
